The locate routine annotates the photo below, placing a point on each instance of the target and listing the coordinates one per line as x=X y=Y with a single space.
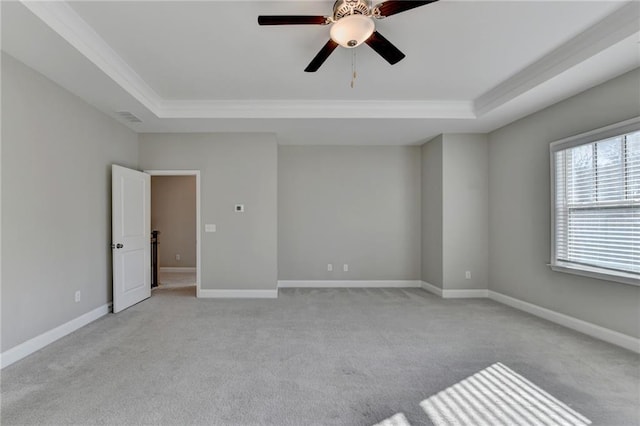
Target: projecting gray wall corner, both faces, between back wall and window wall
x=455 y=212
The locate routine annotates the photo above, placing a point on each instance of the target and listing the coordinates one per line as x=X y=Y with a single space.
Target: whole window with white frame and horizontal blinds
x=596 y=203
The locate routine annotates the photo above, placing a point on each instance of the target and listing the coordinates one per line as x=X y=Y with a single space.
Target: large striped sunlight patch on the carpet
x=498 y=396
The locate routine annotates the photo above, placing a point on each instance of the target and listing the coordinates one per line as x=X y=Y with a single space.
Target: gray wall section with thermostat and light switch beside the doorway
x=234 y=169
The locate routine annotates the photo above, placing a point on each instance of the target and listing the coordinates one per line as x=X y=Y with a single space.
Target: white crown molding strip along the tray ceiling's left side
x=62 y=19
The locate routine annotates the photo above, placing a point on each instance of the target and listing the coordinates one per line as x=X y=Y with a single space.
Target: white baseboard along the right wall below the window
x=593 y=330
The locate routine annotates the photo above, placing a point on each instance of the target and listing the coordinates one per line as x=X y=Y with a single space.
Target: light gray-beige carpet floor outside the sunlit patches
x=349 y=357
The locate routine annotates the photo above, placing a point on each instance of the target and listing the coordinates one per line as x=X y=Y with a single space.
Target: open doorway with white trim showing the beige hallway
x=175 y=213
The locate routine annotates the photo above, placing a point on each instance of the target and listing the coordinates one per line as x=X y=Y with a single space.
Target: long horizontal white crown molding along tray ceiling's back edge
x=317 y=109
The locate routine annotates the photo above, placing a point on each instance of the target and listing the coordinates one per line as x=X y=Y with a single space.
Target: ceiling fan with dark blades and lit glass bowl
x=352 y=23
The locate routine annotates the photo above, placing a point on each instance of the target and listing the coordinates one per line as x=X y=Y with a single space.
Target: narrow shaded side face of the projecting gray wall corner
x=432 y=210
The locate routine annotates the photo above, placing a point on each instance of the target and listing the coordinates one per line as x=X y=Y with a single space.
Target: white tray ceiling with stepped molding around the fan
x=202 y=66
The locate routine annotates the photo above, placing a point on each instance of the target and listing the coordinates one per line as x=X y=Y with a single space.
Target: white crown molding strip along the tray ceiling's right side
x=614 y=28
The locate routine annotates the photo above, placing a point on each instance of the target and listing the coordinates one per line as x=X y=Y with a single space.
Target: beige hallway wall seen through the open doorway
x=173 y=213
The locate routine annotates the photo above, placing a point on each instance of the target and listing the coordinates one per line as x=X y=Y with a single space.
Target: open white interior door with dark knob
x=130 y=224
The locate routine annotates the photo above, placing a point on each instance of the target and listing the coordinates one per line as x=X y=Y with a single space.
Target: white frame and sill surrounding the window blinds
x=618 y=129
